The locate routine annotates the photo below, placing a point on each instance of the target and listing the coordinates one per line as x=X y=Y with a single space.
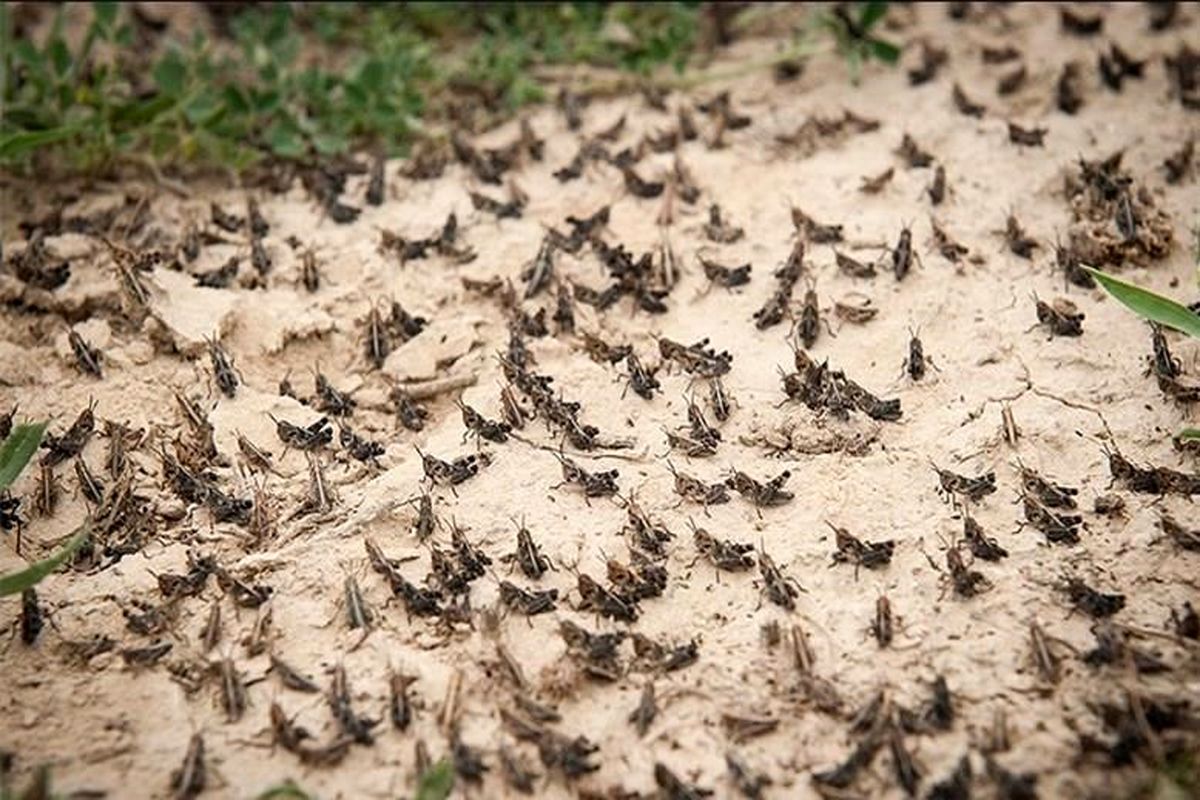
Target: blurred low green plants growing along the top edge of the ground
x=302 y=82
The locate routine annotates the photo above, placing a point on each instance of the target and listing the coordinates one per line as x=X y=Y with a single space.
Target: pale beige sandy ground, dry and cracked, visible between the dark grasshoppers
x=107 y=726
